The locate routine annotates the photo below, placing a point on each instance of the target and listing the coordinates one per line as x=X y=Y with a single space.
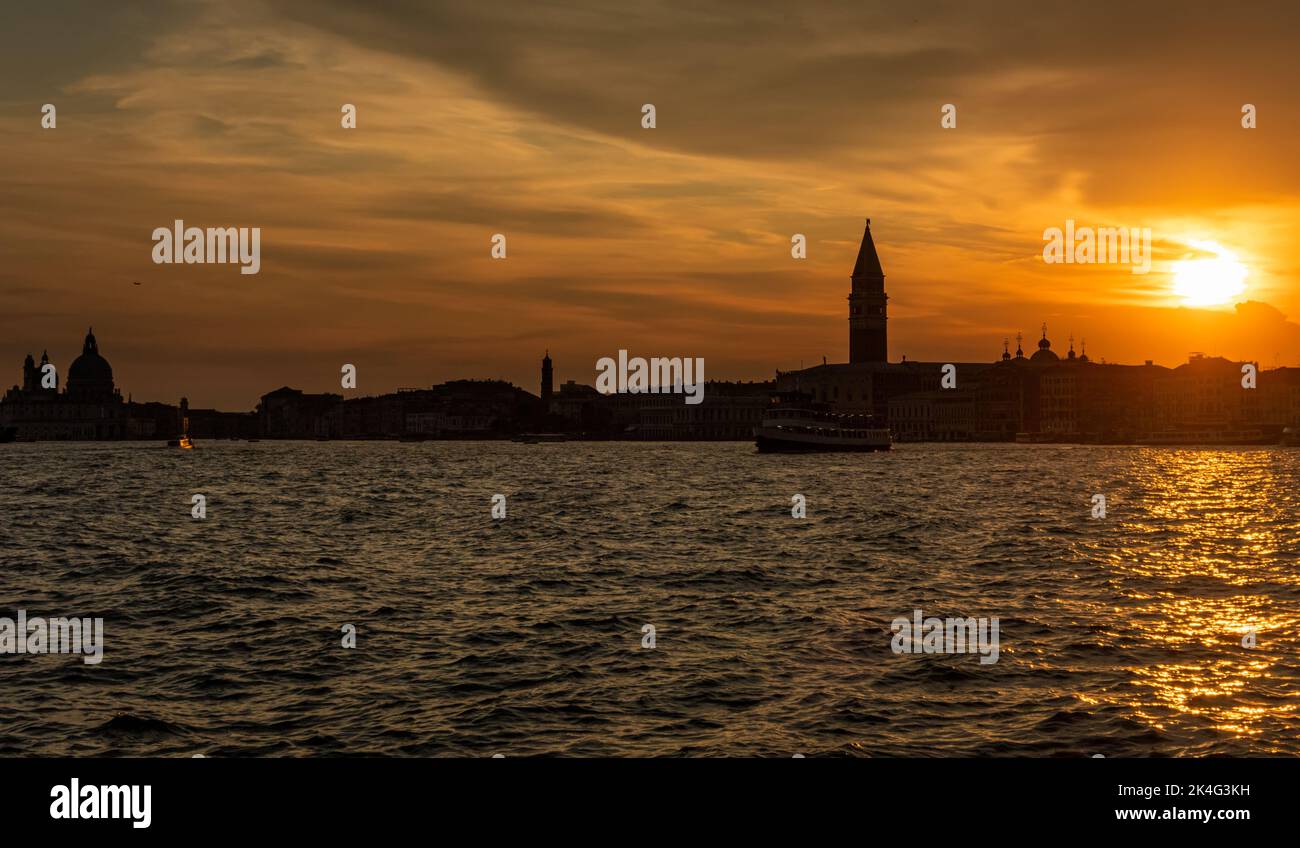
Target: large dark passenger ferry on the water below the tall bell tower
x=796 y=425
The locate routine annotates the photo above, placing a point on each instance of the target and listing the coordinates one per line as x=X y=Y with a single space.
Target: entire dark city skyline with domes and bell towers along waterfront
x=1041 y=397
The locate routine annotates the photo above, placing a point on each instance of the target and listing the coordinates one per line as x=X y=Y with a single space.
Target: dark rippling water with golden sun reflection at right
x=1120 y=637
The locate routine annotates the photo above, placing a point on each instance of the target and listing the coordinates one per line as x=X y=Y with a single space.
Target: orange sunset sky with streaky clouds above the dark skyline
x=525 y=119
